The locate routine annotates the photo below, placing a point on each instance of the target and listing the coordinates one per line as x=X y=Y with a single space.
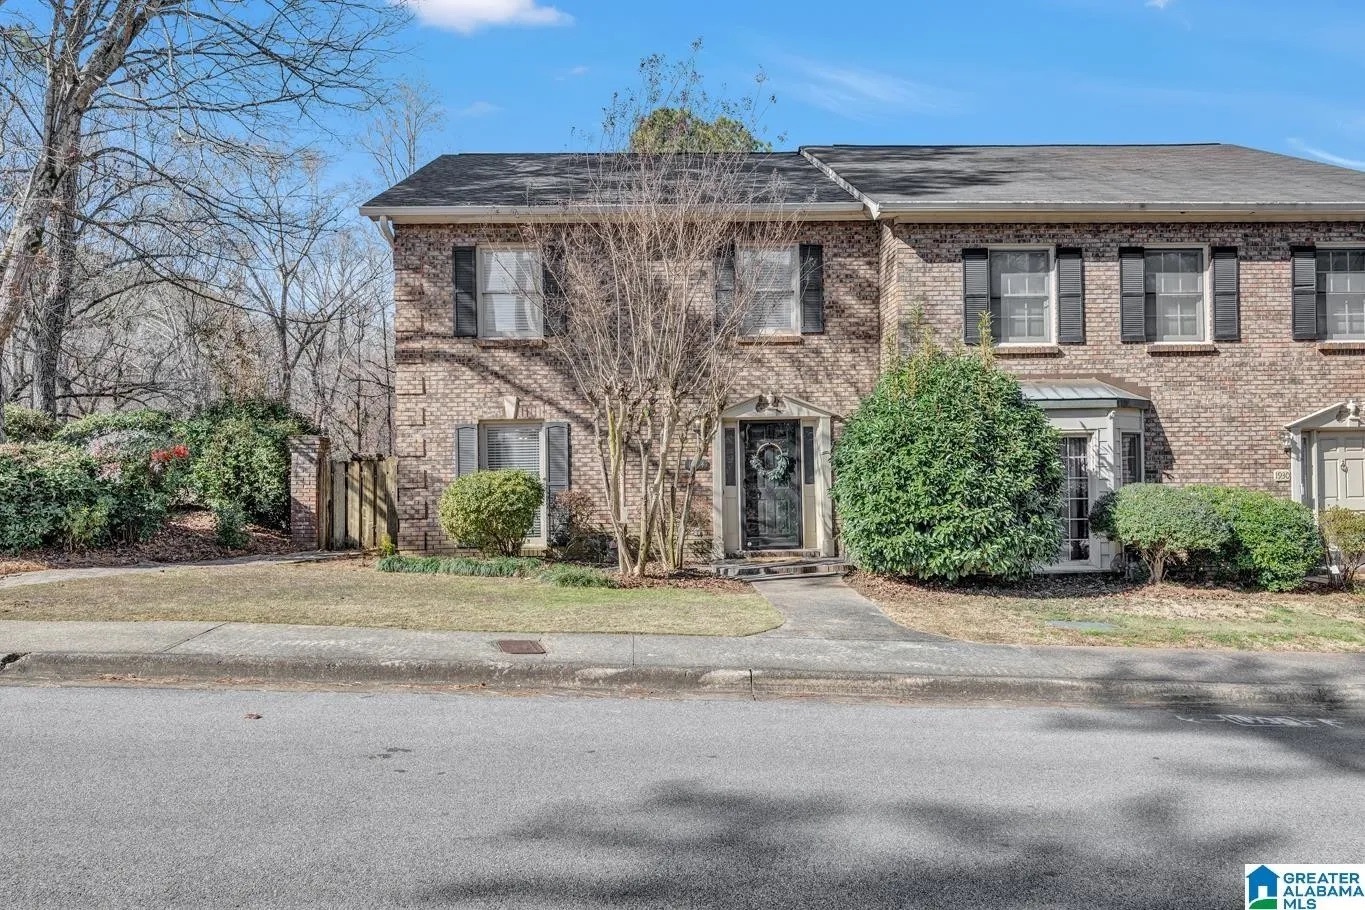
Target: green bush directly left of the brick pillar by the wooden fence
x=242 y=456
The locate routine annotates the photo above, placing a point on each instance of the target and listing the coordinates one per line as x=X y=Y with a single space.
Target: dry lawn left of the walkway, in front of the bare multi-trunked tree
x=353 y=594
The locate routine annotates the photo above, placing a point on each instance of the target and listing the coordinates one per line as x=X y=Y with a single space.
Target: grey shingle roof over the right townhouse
x=979 y=177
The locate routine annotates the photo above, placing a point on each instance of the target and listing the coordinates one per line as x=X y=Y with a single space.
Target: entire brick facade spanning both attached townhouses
x=1217 y=414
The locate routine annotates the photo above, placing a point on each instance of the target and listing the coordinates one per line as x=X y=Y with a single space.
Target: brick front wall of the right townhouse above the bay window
x=1217 y=415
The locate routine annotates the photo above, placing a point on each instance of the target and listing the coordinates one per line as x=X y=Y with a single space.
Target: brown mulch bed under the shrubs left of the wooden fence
x=188 y=538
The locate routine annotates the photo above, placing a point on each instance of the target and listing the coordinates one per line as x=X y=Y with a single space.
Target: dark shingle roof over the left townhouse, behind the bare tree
x=556 y=179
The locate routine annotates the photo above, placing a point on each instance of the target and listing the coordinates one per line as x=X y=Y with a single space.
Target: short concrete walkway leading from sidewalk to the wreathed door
x=827 y=608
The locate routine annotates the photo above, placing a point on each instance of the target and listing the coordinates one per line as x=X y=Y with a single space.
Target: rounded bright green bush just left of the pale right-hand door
x=1274 y=544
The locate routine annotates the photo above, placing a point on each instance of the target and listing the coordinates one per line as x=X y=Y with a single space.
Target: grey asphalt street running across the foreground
x=234 y=799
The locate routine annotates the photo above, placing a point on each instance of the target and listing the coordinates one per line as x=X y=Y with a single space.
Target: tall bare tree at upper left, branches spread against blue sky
x=218 y=77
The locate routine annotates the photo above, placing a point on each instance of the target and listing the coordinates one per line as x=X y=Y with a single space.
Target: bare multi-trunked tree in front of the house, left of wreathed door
x=642 y=269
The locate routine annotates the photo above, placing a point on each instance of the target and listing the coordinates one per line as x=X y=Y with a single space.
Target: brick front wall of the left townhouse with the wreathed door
x=444 y=381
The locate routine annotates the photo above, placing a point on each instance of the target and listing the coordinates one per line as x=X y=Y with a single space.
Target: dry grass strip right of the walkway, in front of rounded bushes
x=1166 y=617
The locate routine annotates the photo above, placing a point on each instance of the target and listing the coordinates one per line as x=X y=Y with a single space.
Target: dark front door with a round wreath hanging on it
x=772 y=508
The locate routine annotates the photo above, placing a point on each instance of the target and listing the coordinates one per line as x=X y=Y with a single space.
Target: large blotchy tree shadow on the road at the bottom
x=694 y=847
